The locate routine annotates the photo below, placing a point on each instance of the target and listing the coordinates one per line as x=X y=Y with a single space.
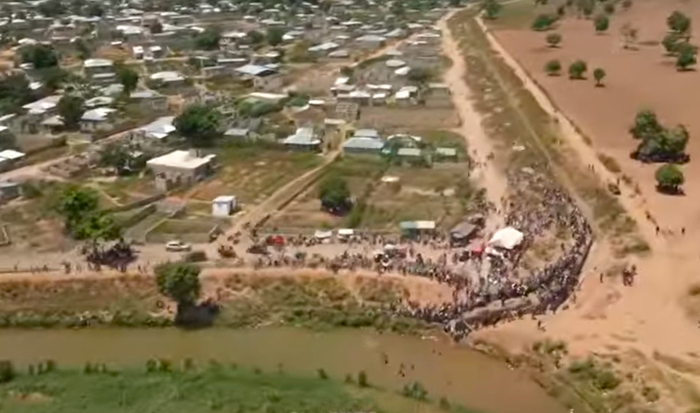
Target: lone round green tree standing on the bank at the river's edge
x=179 y=281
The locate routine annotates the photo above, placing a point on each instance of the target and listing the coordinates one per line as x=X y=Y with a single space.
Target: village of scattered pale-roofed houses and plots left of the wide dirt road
x=188 y=121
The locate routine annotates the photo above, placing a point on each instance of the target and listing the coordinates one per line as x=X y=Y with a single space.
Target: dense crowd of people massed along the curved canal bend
x=504 y=295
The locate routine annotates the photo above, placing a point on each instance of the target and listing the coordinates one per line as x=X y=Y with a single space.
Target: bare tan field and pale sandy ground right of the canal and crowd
x=649 y=318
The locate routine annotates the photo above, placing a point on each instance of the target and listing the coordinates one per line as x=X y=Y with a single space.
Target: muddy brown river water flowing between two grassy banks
x=445 y=369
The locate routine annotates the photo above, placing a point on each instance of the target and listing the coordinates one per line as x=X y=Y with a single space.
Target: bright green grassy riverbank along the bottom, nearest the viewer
x=163 y=386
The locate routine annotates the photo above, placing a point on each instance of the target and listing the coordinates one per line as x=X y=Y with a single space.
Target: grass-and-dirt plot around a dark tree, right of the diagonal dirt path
x=386 y=194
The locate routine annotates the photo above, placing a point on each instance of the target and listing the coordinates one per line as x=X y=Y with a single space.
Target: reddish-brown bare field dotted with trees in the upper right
x=639 y=77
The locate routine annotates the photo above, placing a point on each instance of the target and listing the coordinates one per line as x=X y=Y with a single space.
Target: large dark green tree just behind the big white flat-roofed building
x=199 y=124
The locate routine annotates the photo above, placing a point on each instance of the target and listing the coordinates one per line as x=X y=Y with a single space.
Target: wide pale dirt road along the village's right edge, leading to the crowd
x=480 y=146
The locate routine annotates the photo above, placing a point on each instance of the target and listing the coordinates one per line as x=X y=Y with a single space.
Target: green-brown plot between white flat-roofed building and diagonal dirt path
x=253 y=173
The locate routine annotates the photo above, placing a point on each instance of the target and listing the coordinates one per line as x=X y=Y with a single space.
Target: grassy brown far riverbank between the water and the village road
x=245 y=299
